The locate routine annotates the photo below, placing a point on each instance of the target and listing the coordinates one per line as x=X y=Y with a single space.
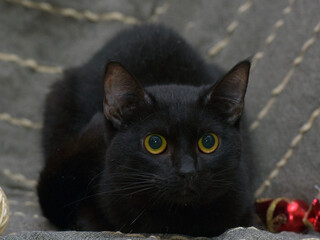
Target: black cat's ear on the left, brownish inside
x=122 y=94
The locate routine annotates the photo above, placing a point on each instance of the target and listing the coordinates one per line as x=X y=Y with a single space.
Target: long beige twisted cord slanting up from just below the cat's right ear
x=277 y=90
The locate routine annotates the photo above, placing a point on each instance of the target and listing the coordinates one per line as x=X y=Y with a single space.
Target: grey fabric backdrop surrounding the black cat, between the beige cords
x=52 y=39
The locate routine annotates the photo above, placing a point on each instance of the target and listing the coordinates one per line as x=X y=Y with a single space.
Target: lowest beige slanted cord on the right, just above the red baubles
x=283 y=161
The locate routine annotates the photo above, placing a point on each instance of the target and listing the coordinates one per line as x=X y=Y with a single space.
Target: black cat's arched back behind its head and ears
x=153 y=54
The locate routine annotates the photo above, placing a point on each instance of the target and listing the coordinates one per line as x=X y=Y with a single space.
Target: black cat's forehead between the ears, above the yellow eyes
x=179 y=111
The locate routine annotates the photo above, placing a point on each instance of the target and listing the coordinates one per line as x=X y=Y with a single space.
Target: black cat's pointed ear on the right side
x=228 y=94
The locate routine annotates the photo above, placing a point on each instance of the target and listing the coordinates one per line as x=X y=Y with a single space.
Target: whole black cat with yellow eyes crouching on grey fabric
x=143 y=138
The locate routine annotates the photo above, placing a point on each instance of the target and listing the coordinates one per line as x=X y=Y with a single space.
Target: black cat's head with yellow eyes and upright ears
x=173 y=143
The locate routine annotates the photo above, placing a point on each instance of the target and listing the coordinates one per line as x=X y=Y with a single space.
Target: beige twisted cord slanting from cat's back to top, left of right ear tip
x=230 y=30
